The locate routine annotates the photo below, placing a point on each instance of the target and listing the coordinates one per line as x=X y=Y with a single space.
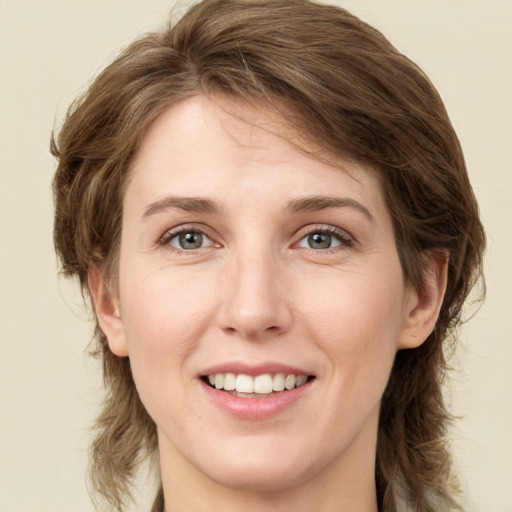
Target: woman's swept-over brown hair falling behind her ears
x=359 y=98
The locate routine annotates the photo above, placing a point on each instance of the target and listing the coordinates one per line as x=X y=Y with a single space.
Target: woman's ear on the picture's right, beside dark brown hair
x=423 y=306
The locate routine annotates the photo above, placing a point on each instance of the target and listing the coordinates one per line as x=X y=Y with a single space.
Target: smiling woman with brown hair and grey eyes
x=270 y=211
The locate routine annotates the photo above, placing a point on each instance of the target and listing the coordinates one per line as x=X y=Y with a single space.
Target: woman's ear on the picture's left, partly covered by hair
x=107 y=312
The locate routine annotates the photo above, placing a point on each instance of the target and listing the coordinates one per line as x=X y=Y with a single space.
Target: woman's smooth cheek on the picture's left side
x=165 y=314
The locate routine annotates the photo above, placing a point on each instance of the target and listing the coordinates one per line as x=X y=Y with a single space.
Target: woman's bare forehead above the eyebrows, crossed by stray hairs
x=199 y=145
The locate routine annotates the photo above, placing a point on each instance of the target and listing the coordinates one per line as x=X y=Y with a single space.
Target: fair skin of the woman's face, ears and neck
x=256 y=291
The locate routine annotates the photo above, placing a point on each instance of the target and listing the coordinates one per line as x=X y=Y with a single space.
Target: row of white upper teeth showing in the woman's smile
x=261 y=384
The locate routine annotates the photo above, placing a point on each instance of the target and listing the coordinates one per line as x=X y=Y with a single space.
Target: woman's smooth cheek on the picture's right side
x=357 y=325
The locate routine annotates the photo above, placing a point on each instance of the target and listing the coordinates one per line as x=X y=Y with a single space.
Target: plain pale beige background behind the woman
x=49 y=388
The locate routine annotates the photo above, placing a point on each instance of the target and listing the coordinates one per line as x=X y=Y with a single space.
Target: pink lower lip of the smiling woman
x=255 y=408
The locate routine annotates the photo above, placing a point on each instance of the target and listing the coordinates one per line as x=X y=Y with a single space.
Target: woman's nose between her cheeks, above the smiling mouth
x=254 y=299
